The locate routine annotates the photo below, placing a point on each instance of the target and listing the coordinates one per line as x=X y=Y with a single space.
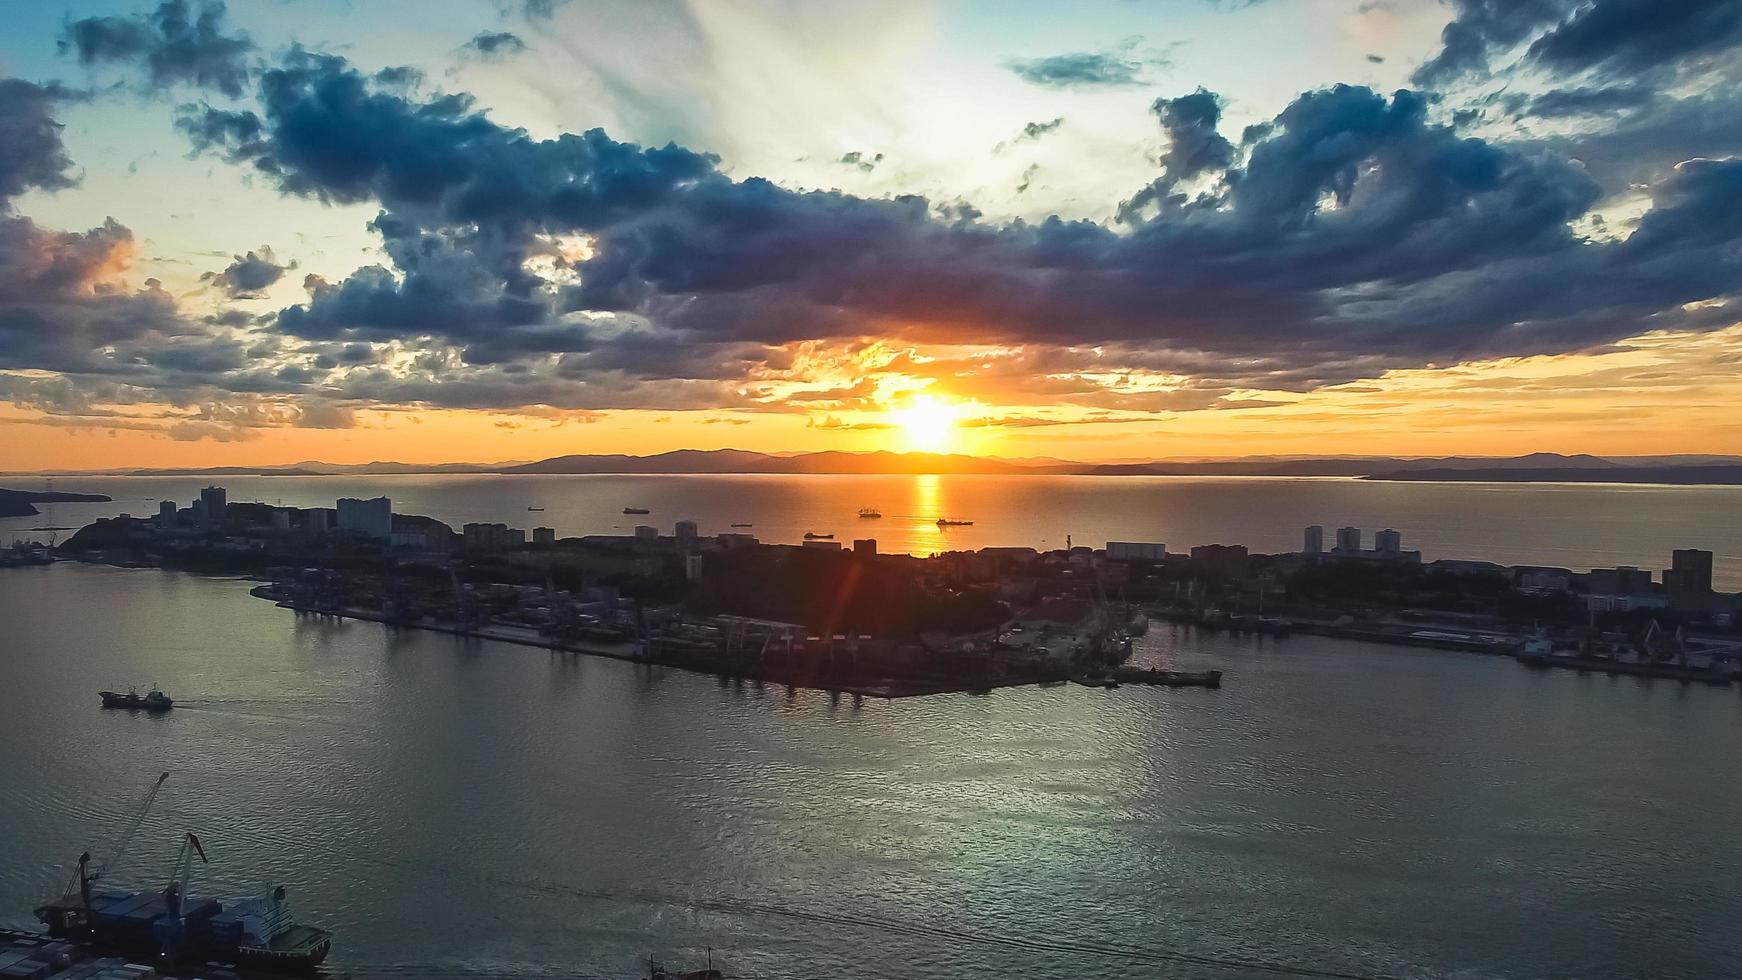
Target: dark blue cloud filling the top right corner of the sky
x=1607 y=37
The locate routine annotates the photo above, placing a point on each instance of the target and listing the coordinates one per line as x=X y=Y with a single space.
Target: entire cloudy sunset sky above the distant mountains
x=353 y=231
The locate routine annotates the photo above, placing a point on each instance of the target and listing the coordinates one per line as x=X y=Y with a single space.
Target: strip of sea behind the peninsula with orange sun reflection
x=1560 y=525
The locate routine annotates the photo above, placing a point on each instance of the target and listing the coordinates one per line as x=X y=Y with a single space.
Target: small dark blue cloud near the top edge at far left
x=179 y=43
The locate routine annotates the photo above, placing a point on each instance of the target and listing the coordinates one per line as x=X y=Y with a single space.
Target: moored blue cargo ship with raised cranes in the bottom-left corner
x=175 y=927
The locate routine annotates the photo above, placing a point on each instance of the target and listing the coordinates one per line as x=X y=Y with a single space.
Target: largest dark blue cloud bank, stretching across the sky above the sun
x=1349 y=225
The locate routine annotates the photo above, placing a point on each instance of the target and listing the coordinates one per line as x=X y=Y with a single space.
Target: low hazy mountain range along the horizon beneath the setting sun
x=1536 y=467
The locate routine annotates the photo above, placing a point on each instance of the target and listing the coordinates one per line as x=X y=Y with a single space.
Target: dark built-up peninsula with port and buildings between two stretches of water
x=847 y=617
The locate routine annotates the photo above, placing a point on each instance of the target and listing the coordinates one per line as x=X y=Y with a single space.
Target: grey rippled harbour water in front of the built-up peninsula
x=476 y=810
